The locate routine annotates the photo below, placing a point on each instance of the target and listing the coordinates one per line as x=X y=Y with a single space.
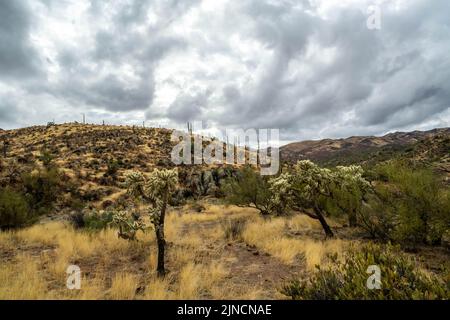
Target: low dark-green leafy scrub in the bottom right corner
x=346 y=279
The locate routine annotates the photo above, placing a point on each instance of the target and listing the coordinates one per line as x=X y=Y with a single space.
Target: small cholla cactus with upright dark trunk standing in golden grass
x=155 y=190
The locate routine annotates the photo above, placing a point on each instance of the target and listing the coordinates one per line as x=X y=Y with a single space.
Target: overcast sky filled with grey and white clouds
x=311 y=68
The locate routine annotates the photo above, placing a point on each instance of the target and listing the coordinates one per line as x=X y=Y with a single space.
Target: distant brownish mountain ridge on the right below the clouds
x=433 y=146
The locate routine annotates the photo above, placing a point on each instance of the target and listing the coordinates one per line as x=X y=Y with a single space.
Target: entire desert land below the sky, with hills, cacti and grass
x=68 y=197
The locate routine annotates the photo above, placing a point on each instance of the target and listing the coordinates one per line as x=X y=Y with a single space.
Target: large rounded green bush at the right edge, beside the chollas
x=411 y=205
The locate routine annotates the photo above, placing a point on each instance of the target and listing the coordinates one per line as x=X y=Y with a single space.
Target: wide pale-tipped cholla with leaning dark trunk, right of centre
x=303 y=189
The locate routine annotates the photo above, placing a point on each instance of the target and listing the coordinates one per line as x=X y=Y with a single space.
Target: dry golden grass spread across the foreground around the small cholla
x=114 y=268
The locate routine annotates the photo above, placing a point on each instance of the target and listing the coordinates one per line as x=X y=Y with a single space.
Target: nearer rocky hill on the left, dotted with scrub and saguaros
x=96 y=158
